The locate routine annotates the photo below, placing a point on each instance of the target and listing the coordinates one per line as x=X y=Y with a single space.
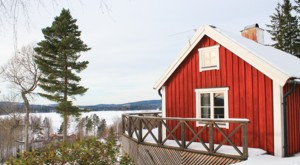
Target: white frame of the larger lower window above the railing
x=211 y=91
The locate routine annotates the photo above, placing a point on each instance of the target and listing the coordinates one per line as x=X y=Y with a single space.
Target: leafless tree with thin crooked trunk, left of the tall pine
x=23 y=74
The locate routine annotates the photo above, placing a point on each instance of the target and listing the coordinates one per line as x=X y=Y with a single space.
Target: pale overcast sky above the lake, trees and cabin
x=132 y=42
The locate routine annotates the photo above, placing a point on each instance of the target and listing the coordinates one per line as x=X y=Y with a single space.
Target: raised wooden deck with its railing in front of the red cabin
x=139 y=127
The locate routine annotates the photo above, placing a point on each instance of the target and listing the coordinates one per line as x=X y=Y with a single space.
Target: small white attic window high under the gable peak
x=209 y=58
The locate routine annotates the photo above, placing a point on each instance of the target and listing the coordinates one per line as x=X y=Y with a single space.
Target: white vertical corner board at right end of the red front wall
x=278 y=119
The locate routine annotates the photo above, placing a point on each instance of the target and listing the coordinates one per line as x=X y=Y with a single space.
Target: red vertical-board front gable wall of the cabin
x=249 y=96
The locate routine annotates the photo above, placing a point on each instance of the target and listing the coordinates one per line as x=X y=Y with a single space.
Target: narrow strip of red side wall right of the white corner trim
x=293 y=119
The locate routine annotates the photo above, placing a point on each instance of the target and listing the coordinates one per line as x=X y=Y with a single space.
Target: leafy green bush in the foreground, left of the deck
x=87 y=151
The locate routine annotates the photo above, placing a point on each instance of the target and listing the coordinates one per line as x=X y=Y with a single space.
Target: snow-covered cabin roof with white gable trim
x=276 y=64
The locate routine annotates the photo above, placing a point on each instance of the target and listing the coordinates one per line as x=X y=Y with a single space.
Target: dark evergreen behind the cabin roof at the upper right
x=284 y=29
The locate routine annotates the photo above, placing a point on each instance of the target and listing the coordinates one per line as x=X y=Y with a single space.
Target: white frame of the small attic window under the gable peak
x=205 y=50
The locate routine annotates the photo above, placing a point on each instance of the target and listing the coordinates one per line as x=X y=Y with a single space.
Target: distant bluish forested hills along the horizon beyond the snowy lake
x=6 y=107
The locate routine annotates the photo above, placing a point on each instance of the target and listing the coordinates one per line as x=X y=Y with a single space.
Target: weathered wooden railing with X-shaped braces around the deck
x=139 y=126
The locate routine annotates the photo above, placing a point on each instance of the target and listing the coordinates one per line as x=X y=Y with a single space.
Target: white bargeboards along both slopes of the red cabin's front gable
x=236 y=48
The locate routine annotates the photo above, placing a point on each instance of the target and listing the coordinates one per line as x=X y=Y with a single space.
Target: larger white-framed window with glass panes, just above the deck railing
x=212 y=103
